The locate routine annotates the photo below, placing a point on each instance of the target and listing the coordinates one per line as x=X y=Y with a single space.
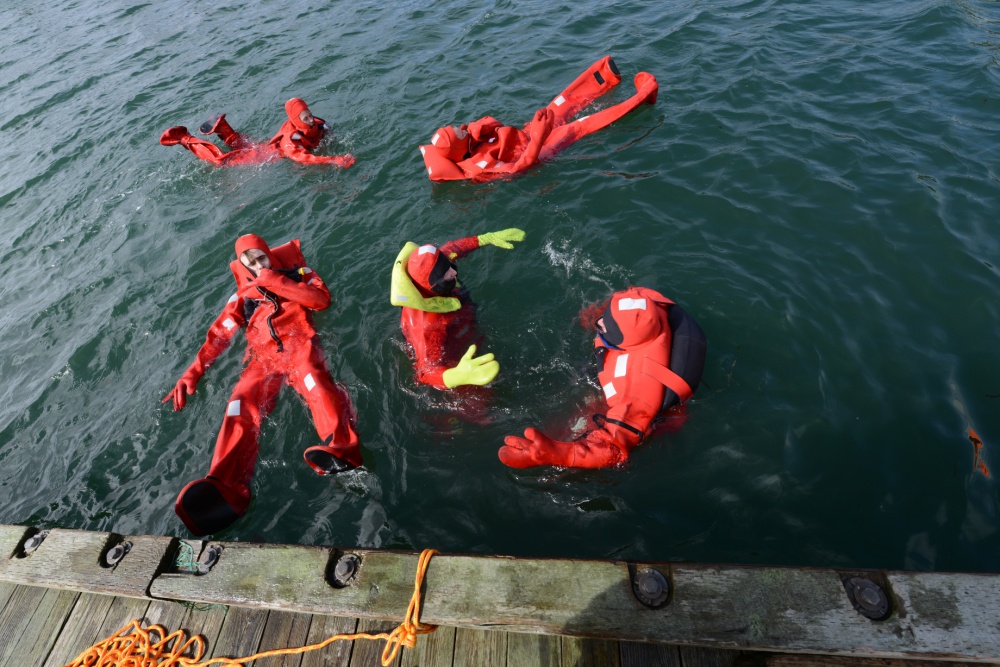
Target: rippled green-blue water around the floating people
x=817 y=185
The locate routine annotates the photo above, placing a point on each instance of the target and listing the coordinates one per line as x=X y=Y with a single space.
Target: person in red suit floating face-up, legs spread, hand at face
x=275 y=294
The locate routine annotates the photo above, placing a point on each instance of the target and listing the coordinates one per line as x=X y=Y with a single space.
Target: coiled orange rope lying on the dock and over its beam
x=133 y=645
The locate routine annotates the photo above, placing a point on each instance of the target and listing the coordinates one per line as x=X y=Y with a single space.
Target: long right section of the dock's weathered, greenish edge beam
x=794 y=610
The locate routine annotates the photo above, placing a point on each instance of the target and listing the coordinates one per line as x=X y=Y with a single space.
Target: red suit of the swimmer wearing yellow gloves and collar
x=439 y=339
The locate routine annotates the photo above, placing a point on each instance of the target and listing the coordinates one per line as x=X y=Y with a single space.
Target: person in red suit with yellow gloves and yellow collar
x=438 y=317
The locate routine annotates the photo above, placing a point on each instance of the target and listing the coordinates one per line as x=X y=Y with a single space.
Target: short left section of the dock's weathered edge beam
x=74 y=560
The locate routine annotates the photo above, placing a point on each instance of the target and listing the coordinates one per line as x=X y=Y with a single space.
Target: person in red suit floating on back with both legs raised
x=487 y=149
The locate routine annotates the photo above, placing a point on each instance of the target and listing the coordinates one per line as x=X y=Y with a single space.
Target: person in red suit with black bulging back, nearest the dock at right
x=650 y=357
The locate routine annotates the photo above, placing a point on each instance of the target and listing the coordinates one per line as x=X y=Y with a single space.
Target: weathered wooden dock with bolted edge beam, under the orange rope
x=61 y=591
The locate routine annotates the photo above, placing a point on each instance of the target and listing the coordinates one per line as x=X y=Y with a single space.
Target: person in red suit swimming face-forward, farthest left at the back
x=297 y=138
